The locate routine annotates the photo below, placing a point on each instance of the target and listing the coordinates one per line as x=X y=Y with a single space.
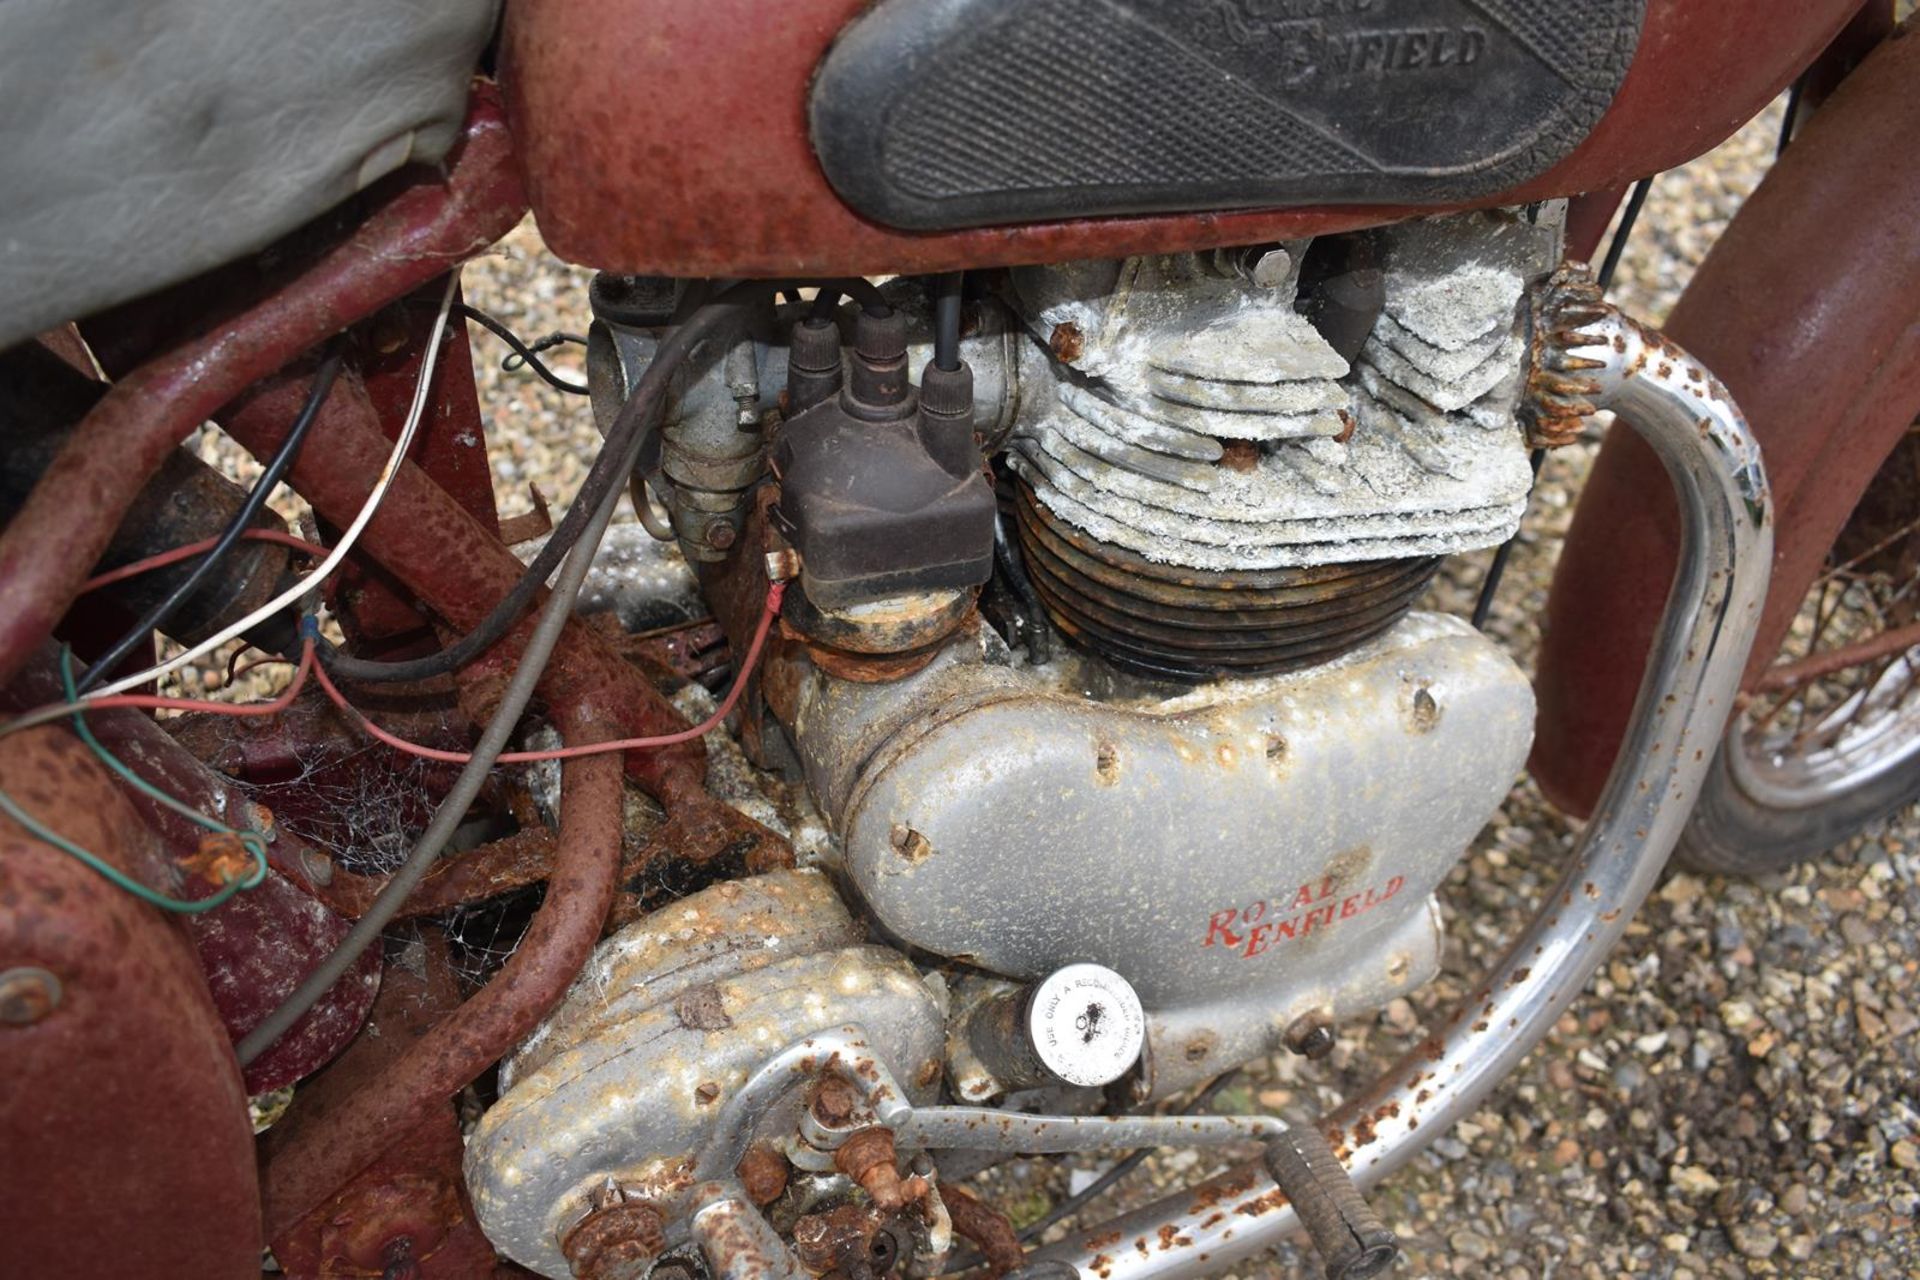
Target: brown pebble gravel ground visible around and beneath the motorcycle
x=1737 y=1091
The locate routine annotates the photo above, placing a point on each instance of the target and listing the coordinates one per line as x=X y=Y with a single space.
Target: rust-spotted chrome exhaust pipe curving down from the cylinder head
x=1587 y=356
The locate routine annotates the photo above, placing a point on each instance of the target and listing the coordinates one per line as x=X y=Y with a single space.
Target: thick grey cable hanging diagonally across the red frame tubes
x=540 y=646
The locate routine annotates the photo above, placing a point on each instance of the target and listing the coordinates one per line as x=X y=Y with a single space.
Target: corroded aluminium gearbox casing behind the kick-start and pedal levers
x=661 y=1030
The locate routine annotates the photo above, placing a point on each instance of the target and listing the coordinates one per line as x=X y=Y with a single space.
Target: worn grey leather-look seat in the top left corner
x=149 y=141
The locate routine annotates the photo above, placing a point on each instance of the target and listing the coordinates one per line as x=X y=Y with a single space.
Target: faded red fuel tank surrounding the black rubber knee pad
x=673 y=139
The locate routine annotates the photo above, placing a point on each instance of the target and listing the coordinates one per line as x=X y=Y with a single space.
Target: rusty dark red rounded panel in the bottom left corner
x=130 y=1085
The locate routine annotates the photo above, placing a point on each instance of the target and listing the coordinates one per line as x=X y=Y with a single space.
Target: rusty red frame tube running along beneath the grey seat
x=49 y=550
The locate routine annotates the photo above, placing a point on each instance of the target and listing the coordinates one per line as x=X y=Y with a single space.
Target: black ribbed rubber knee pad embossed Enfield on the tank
x=942 y=114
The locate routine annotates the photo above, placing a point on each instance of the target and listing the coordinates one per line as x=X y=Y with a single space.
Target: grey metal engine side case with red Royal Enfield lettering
x=1245 y=855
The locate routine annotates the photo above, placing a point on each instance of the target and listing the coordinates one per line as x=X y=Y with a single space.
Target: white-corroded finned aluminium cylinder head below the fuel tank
x=1201 y=419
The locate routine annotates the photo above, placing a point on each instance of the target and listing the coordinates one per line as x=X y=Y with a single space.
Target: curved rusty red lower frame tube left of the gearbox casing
x=325 y=1154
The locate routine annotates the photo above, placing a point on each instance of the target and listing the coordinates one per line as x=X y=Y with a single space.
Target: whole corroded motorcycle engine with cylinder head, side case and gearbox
x=1176 y=794
